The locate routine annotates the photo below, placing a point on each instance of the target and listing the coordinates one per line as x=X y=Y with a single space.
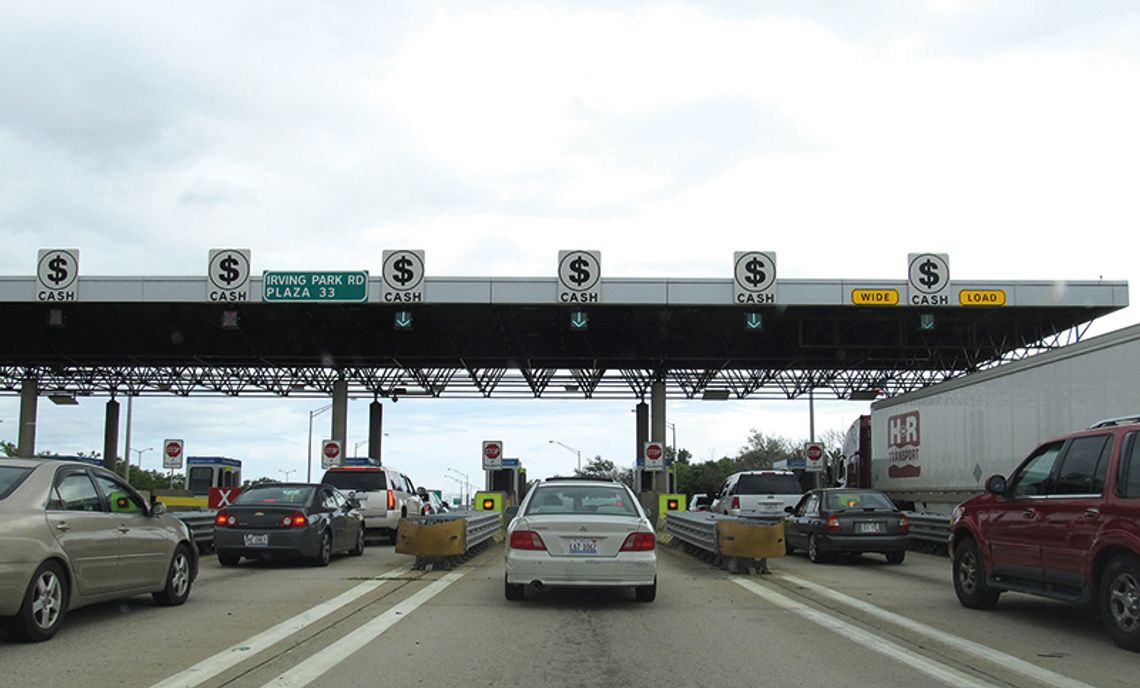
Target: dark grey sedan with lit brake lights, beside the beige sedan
x=289 y=520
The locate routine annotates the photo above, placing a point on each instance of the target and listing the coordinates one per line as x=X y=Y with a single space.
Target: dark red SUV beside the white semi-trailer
x=1065 y=526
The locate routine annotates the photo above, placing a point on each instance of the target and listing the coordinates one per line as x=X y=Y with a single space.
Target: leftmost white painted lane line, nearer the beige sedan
x=232 y=657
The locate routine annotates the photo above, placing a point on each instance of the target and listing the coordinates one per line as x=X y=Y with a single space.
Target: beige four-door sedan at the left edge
x=75 y=535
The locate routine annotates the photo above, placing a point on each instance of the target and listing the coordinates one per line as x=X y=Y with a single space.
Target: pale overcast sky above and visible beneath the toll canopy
x=492 y=135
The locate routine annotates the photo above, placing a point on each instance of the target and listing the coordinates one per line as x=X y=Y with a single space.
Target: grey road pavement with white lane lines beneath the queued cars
x=372 y=621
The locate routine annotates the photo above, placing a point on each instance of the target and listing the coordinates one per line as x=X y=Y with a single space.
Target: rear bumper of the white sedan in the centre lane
x=629 y=569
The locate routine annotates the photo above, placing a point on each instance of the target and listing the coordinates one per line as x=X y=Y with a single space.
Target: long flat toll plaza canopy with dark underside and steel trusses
x=517 y=338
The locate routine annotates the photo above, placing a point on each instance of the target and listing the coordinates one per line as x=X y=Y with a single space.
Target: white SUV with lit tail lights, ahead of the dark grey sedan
x=385 y=494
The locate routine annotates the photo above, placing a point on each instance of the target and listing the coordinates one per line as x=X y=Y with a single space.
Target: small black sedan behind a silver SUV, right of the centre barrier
x=846 y=521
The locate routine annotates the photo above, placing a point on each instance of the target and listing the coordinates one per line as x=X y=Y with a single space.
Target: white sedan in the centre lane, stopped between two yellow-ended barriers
x=584 y=535
